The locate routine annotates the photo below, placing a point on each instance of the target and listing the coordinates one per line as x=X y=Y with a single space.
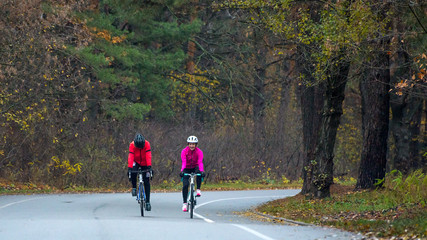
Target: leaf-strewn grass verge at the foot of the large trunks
x=398 y=211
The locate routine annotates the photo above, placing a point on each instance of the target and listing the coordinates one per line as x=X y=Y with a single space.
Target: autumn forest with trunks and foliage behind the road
x=278 y=89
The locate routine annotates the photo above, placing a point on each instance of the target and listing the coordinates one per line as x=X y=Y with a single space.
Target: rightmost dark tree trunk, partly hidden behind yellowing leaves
x=406 y=108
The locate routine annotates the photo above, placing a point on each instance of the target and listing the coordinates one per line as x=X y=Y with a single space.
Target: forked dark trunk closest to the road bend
x=319 y=136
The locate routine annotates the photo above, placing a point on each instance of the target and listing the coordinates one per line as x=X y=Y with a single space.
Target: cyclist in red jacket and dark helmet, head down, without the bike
x=140 y=157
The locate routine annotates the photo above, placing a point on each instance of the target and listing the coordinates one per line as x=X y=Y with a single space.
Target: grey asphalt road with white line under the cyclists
x=117 y=216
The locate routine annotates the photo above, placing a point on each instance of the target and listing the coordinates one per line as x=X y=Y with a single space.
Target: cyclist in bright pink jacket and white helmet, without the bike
x=192 y=161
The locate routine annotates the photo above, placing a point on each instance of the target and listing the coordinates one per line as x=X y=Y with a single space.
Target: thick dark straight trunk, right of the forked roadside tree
x=374 y=89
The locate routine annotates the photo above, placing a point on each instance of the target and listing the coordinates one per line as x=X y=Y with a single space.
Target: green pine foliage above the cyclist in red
x=134 y=48
